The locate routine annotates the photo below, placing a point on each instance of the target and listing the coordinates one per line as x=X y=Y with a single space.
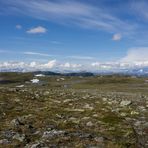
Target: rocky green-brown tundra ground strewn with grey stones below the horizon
x=73 y=112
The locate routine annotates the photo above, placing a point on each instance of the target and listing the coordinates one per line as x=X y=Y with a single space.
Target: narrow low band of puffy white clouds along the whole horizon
x=55 y=65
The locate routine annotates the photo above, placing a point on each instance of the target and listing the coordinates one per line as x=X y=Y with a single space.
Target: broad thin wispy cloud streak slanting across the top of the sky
x=71 y=12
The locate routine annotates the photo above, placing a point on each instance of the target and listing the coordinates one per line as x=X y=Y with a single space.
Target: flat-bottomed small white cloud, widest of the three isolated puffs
x=37 y=30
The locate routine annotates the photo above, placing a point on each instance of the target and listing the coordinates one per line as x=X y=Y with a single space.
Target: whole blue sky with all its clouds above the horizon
x=73 y=34
